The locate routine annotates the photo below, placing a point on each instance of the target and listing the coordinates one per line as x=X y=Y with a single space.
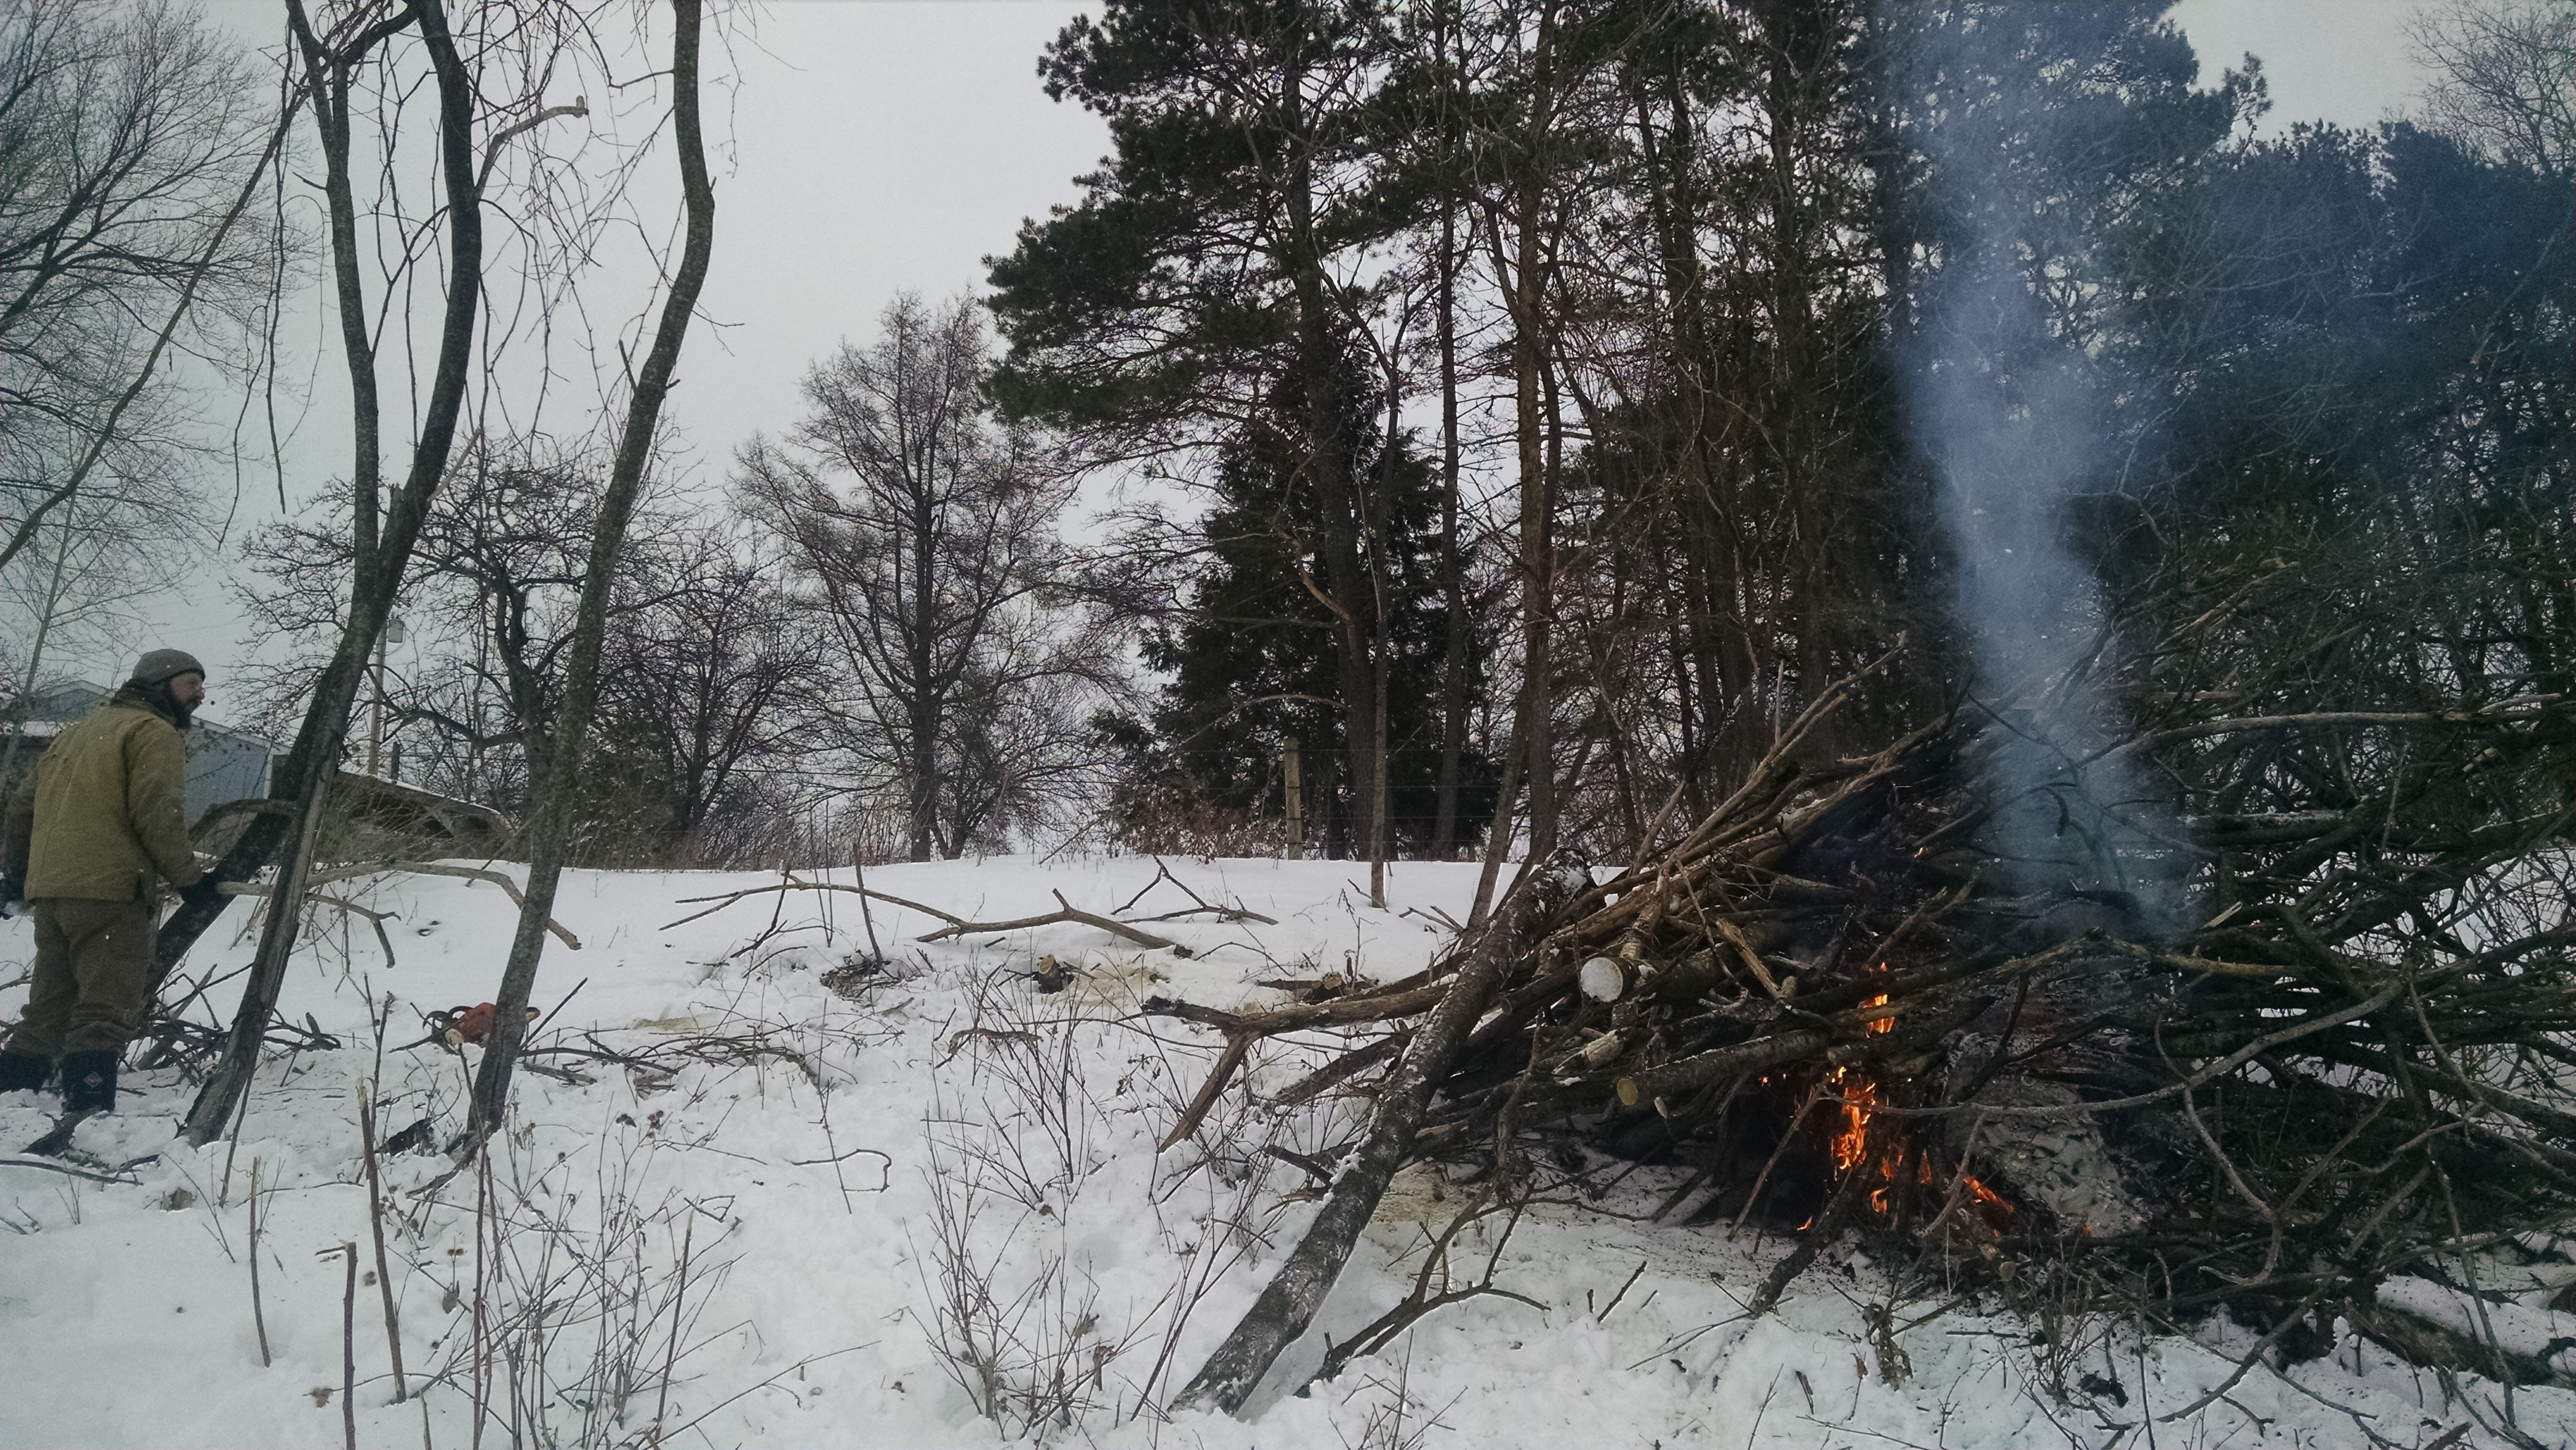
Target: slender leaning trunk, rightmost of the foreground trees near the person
x=553 y=818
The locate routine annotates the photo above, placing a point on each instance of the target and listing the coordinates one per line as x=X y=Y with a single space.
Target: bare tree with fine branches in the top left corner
x=130 y=146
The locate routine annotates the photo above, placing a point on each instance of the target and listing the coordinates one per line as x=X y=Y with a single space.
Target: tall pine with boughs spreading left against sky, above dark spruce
x=1197 y=292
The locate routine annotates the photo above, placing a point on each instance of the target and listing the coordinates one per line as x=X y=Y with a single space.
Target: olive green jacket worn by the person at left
x=109 y=810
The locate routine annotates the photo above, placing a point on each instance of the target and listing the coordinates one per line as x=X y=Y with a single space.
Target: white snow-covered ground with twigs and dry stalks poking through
x=923 y=1207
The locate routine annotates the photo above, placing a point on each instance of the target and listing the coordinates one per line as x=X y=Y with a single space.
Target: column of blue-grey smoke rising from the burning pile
x=2013 y=424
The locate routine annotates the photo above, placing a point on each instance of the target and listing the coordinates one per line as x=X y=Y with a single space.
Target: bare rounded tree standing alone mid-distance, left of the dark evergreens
x=926 y=534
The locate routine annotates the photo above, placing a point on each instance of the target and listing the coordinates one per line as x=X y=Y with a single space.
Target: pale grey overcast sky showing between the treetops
x=887 y=146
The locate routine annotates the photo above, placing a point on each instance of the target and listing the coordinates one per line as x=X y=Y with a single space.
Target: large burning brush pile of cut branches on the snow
x=2340 y=1042
